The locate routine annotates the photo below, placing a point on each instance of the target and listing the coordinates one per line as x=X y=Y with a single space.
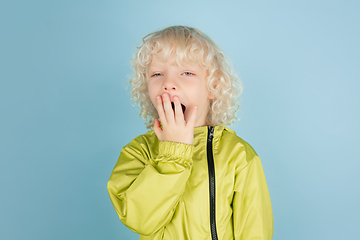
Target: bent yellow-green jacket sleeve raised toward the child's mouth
x=145 y=191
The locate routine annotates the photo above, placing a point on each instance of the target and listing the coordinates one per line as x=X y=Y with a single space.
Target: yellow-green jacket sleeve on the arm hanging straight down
x=252 y=211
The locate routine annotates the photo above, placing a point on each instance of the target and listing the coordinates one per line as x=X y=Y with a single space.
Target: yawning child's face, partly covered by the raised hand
x=188 y=82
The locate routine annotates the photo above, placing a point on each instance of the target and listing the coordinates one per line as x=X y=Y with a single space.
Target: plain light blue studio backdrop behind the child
x=66 y=110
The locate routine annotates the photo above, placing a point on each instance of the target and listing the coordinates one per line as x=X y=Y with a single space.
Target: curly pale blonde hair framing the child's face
x=195 y=47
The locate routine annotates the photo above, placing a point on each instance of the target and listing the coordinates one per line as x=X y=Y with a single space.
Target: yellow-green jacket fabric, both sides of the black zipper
x=161 y=189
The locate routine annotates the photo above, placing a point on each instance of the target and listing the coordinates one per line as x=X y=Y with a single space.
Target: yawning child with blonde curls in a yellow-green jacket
x=191 y=177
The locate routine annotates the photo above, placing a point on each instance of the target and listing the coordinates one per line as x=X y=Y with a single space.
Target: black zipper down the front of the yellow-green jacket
x=211 y=168
